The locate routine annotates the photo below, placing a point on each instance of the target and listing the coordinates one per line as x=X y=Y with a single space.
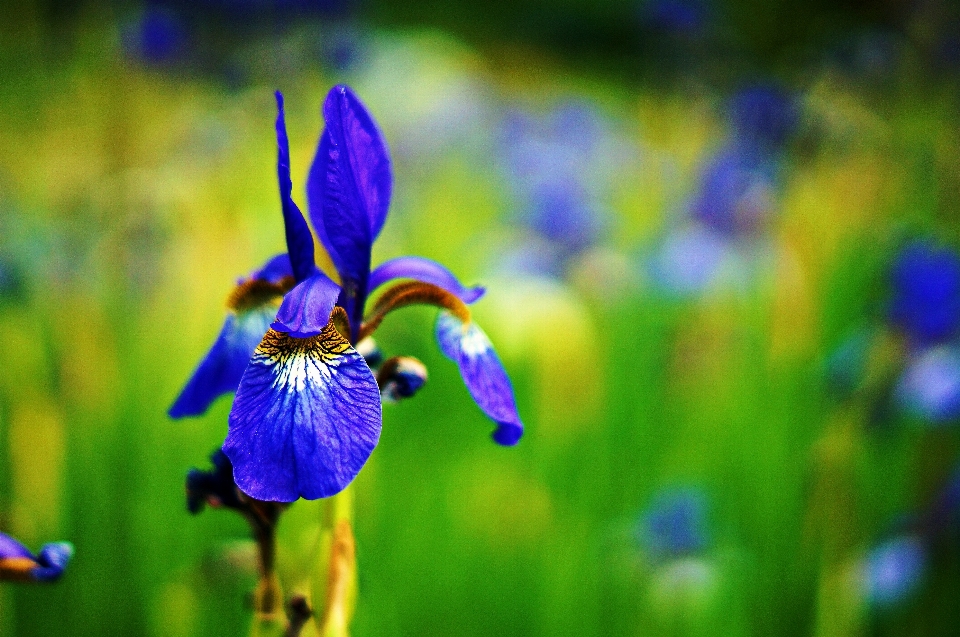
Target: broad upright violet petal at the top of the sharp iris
x=348 y=192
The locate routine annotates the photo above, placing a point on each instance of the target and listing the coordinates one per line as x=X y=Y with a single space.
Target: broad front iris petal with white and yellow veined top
x=305 y=420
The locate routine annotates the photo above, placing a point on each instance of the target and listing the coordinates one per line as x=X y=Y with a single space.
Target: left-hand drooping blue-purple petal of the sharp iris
x=222 y=368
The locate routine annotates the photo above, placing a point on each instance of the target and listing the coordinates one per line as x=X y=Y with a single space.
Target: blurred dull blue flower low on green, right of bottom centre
x=674 y=524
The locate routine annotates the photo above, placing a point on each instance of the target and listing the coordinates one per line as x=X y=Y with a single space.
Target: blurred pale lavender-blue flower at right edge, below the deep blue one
x=930 y=384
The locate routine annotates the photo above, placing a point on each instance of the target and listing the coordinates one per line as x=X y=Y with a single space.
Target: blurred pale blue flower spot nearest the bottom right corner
x=893 y=570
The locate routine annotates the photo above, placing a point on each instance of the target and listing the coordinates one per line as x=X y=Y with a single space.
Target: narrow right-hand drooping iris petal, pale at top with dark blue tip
x=483 y=373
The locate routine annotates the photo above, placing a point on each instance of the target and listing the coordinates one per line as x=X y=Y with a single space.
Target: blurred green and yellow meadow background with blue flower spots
x=720 y=241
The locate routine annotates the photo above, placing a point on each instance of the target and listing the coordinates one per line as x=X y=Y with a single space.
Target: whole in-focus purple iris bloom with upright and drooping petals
x=307 y=412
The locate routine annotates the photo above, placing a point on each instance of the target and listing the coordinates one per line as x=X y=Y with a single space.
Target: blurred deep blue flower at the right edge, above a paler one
x=925 y=301
